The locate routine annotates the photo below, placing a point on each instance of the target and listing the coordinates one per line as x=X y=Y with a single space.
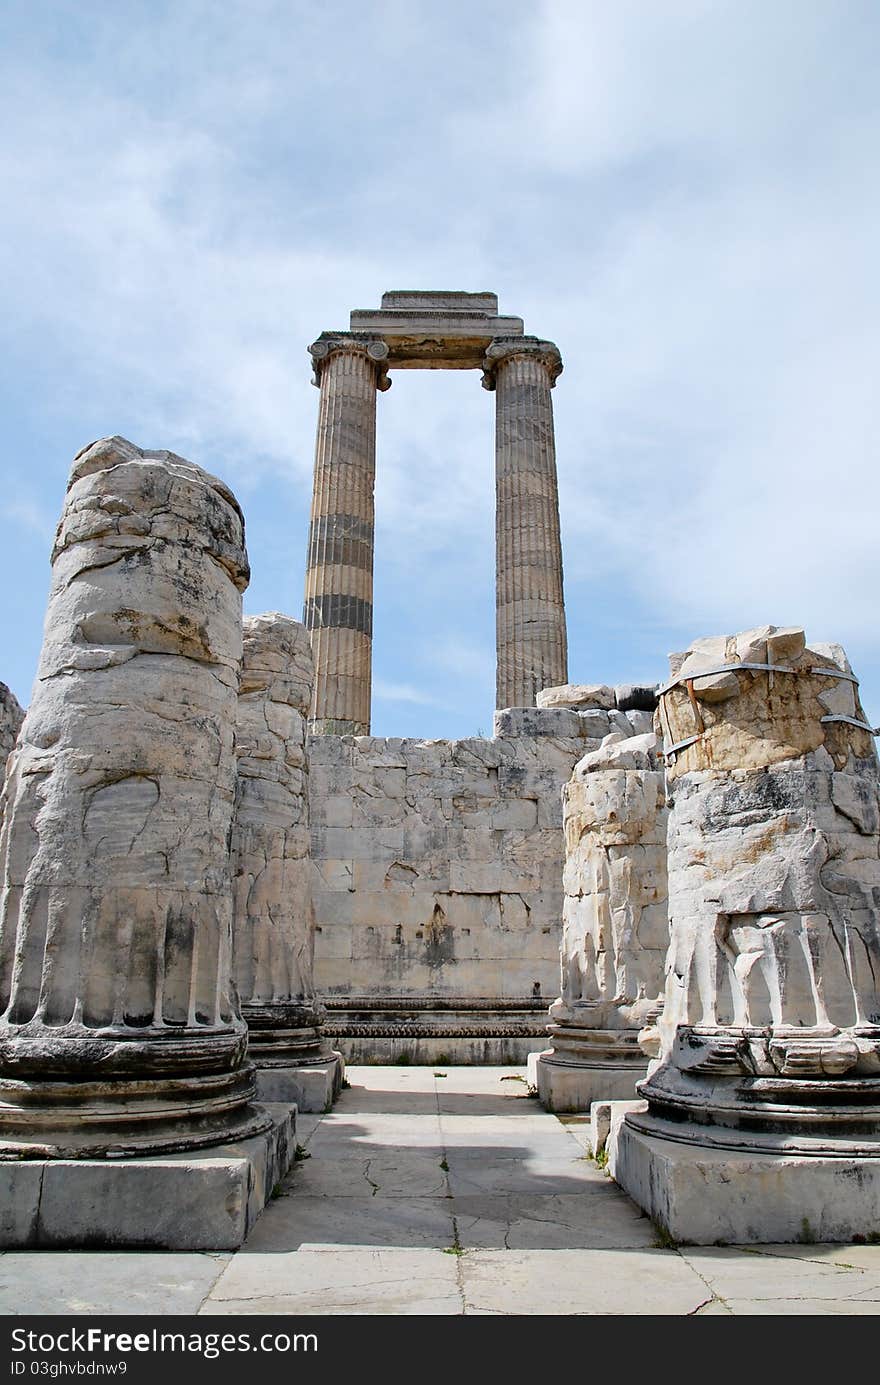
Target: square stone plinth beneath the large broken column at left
x=199 y=1201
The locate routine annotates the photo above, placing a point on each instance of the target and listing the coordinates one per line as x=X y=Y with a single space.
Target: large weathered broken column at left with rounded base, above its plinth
x=118 y=1028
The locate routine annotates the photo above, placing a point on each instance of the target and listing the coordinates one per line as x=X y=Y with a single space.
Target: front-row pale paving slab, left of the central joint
x=414 y=1282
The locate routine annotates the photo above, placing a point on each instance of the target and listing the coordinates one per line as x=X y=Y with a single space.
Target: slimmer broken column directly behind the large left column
x=274 y=936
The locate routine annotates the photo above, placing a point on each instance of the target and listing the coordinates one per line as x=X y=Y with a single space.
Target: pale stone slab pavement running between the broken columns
x=447 y=1192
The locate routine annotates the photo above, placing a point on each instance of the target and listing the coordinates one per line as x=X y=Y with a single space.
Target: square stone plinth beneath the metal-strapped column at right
x=707 y=1196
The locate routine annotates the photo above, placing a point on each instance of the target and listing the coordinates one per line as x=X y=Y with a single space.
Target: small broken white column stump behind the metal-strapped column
x=615 y=927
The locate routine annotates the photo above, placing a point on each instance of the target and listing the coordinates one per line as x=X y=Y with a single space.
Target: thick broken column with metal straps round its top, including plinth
x=768 y=1077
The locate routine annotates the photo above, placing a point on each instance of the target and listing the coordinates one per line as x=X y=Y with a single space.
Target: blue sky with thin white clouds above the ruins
x=681 y=193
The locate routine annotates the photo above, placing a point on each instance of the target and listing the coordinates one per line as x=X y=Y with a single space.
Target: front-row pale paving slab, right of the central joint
x=545 y=1283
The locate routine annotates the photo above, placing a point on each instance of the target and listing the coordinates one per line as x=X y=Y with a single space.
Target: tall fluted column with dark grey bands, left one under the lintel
x=339 y=585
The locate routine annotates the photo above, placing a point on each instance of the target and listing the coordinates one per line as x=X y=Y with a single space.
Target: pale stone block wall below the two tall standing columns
x=439 y=873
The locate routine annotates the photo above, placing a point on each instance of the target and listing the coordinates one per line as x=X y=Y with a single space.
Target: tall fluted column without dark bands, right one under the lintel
x=533 y=650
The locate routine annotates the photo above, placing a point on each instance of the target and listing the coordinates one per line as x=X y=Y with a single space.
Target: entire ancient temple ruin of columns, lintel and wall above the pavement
x=215 y=884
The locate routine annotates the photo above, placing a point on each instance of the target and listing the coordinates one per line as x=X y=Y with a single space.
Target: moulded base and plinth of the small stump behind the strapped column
x=581 y=1069
